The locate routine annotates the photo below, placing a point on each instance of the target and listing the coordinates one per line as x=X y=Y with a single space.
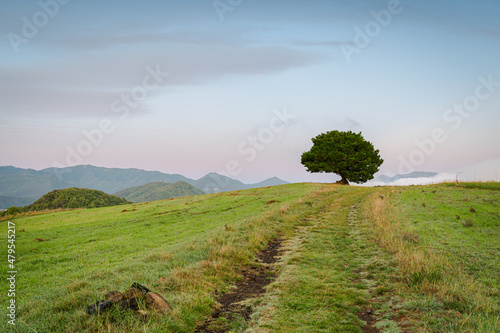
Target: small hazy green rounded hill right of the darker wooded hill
x=158 y=191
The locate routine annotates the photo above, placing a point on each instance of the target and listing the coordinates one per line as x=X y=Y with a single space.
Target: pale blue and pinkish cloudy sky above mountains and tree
x=240 y=87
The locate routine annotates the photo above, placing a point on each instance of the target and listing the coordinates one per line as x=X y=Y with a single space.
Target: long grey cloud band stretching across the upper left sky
x=86 y=85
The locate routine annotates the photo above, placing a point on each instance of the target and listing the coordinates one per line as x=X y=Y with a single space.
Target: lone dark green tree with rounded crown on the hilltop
x=347 y=154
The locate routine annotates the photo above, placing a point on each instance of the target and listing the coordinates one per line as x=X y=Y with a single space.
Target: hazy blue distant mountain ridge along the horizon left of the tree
x=17 y=183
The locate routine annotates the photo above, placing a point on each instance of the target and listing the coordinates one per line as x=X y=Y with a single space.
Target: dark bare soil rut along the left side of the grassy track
x=252 y=285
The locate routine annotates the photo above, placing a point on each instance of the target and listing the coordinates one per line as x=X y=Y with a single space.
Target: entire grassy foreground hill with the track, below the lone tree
x=353 y=259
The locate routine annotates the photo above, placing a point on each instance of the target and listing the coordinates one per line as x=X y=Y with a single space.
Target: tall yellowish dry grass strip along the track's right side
x=429 y=271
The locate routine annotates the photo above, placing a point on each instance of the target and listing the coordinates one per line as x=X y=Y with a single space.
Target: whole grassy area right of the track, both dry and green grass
x=445 y=240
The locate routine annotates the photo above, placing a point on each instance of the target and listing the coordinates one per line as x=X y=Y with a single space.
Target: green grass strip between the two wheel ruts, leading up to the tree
x=318 y=289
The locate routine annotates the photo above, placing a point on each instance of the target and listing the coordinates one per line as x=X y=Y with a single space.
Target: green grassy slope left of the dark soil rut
x=177 y=247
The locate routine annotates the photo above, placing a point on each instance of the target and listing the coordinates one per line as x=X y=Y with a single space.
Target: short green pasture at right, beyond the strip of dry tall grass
x=448 y=226
